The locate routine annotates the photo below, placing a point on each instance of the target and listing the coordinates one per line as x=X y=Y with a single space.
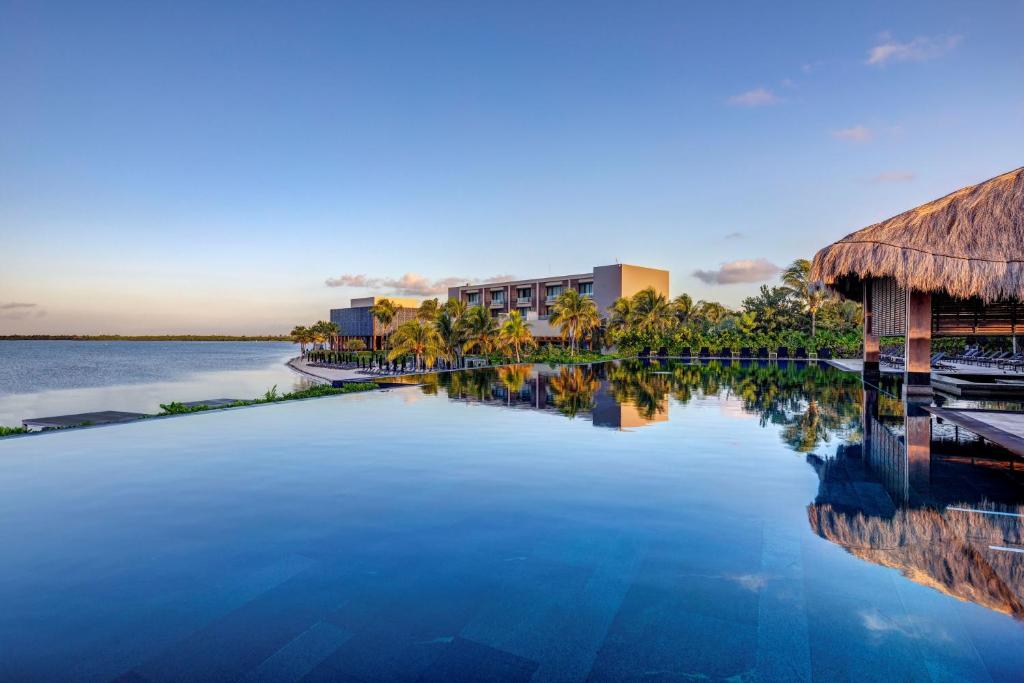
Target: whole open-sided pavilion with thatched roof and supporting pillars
x=954 y=267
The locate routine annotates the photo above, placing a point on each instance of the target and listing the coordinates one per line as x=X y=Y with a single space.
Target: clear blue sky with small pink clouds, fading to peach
x=240 y=168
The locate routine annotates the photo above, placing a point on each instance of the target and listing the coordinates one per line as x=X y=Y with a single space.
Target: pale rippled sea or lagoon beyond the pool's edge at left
x=46 y=378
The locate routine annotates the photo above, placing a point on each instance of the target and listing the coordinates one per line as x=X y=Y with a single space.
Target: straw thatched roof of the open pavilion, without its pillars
x=970 y=243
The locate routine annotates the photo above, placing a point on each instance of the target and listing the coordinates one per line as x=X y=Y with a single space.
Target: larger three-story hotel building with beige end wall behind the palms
x=534 y=297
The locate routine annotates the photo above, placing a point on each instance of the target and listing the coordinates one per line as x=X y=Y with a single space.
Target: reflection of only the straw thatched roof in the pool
x=949 y=552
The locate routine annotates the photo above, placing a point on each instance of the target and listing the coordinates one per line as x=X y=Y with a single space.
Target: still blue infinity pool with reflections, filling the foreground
x=605 y=524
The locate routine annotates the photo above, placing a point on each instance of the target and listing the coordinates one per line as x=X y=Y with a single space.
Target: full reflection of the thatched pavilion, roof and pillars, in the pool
x=948 y=518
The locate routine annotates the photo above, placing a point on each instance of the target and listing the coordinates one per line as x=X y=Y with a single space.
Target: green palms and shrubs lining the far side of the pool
x=797 y=313
